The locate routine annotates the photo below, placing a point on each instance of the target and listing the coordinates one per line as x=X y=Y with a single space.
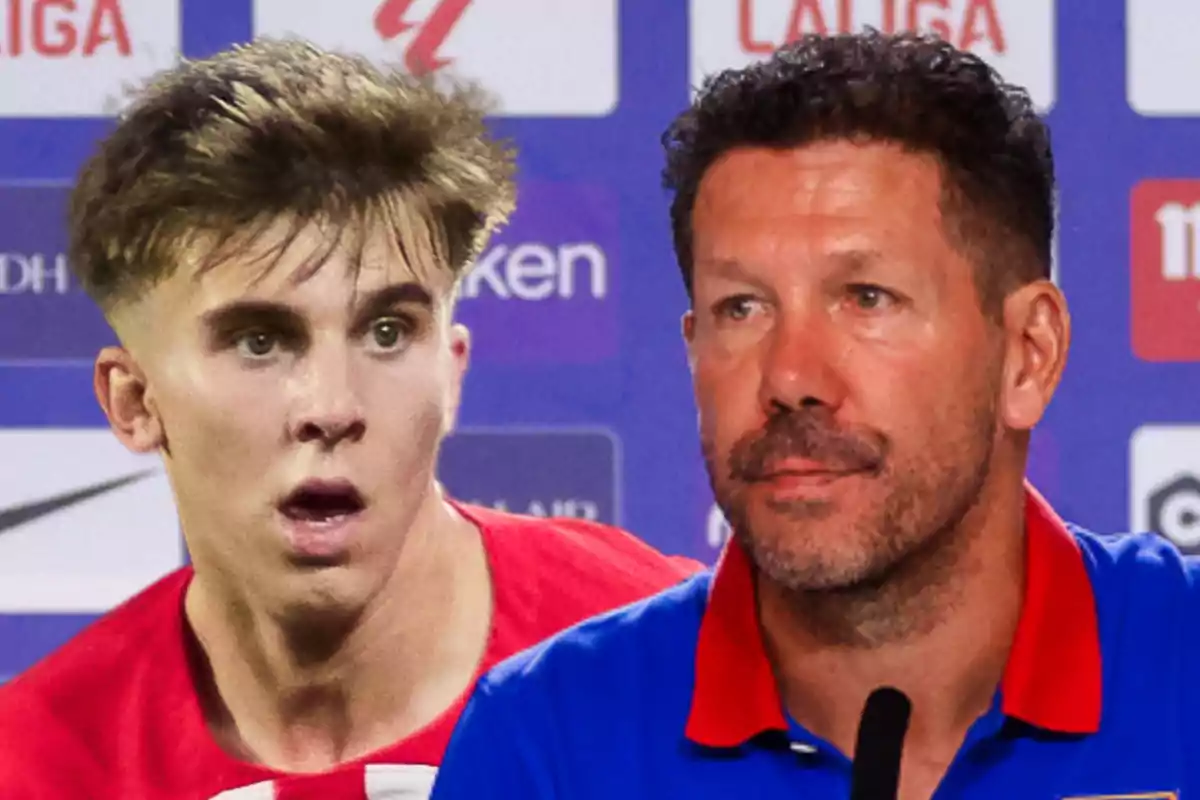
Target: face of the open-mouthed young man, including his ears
x=299 y=416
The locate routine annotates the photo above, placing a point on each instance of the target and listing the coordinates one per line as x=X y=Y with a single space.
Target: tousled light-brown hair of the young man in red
x=213 y=152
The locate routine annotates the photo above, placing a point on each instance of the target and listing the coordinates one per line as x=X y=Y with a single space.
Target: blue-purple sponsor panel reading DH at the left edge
x=44 y=315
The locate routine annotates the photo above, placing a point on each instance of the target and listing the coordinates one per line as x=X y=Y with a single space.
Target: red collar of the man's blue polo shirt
x=1052 y=681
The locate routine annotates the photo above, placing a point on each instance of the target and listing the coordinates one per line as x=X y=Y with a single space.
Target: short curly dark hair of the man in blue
x=914 y=91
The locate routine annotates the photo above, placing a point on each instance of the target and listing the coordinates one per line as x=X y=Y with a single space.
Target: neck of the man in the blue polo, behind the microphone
x=958 y=605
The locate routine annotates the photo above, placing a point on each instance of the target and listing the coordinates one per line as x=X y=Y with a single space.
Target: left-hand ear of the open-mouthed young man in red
x=123 y=394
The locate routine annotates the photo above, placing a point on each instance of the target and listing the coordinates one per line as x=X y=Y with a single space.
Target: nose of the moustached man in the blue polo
x=800 y=366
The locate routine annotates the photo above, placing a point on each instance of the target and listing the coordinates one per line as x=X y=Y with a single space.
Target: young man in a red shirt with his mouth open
x=275 y=234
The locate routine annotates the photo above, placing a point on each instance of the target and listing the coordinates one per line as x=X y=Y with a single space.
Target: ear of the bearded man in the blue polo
x=1037 y=328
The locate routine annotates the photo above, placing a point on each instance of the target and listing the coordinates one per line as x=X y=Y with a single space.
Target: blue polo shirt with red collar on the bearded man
x=674 y=697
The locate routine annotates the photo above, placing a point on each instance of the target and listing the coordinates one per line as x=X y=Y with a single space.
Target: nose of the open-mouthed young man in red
x=328 y=406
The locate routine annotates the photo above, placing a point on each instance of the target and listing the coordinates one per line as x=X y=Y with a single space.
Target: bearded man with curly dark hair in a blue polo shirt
x=865 y=227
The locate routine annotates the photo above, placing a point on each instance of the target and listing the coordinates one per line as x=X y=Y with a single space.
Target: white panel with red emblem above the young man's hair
x=507 y=46
